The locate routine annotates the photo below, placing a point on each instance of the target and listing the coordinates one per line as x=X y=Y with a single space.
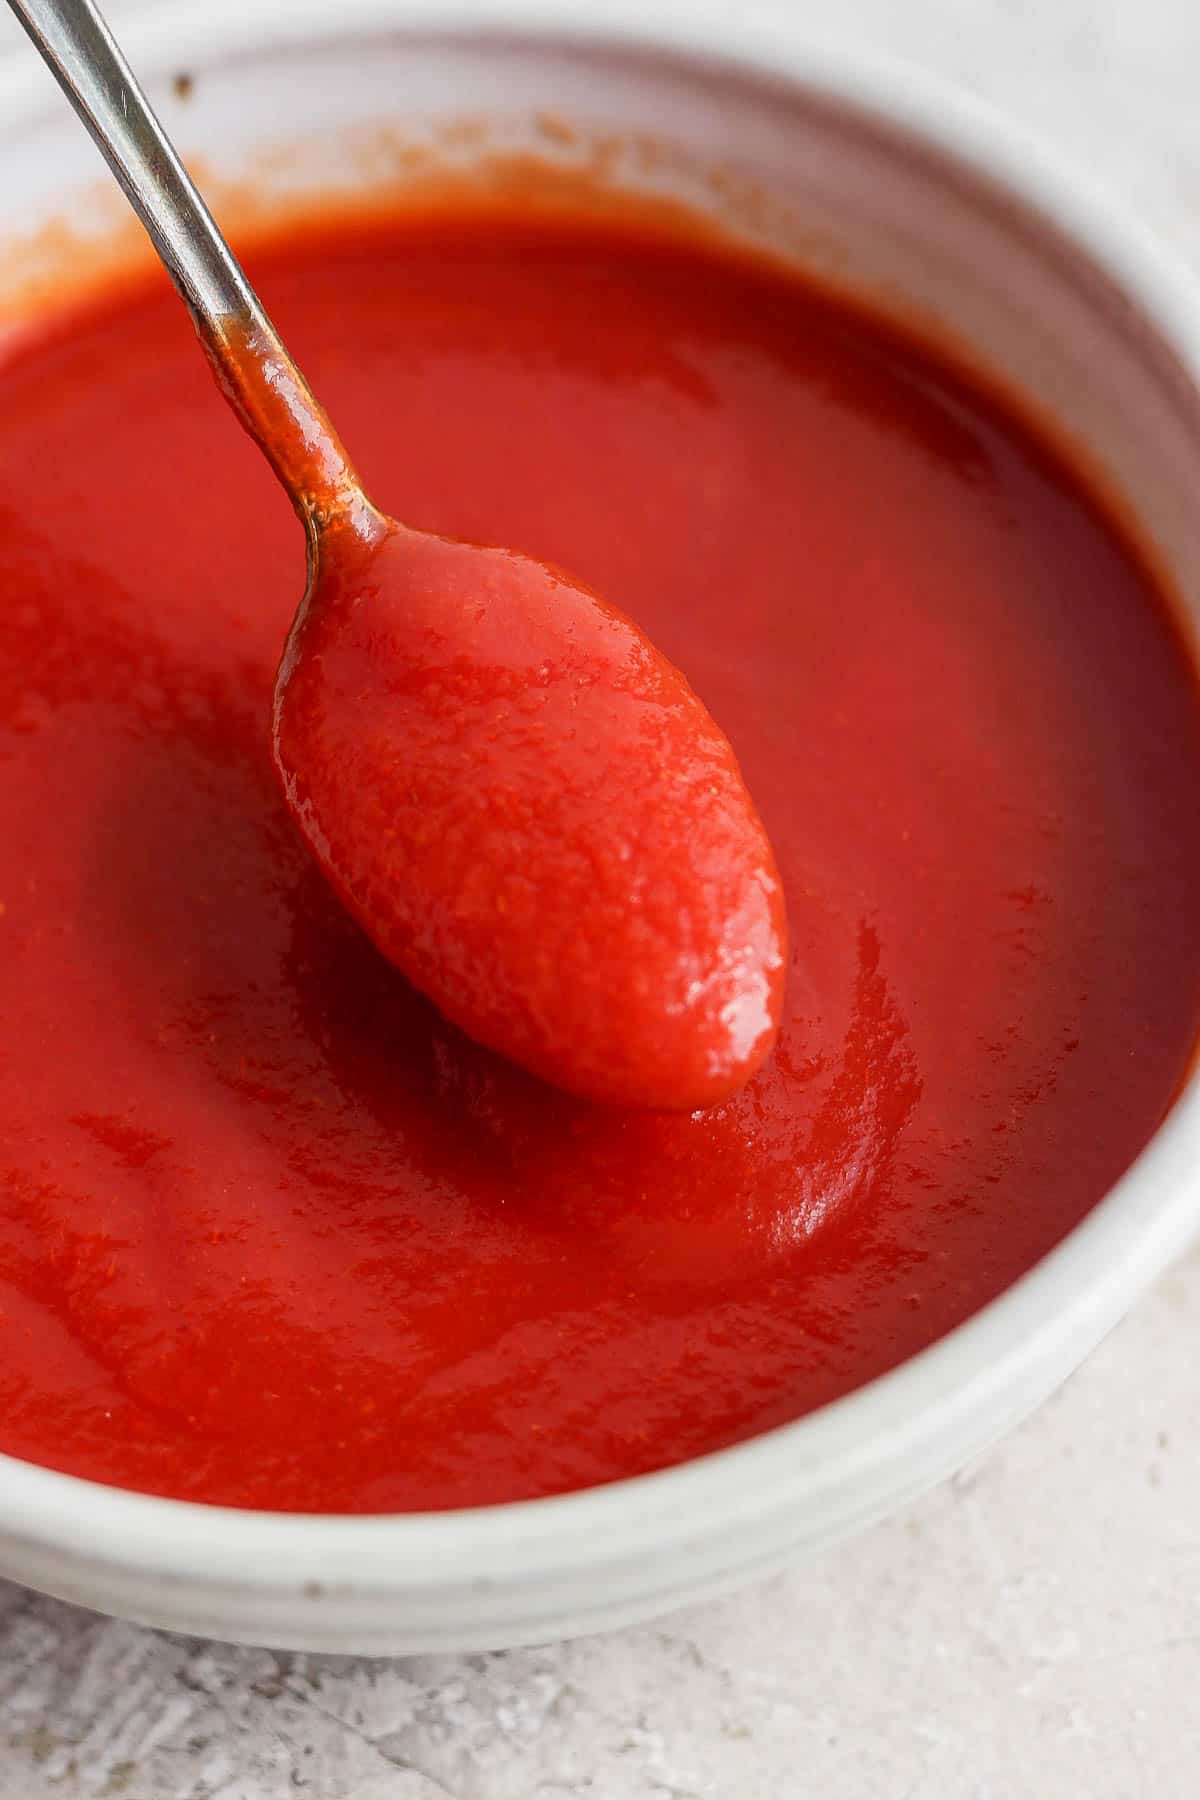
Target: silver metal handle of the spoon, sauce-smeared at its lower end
x=249 y=359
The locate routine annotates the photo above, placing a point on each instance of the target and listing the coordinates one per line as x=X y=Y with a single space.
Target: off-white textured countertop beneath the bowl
x=1032 y=1632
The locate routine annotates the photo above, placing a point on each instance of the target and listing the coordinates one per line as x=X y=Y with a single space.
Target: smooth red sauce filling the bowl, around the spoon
x=271 y=1230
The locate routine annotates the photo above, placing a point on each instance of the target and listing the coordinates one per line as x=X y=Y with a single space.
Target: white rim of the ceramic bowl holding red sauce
x=1071 y=1295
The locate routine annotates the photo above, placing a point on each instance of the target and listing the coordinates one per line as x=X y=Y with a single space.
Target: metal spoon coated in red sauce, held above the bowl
x=519 y=798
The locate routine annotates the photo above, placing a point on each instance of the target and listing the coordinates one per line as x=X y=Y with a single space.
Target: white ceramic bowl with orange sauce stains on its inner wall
x=897 y=190
